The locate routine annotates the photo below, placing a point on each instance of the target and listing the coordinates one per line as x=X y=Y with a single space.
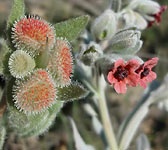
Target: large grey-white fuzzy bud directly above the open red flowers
x=126 y=42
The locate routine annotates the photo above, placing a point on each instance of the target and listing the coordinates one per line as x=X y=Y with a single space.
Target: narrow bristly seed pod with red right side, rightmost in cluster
x=60 y=63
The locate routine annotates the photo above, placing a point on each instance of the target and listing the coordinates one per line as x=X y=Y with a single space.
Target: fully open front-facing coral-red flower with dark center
x=122 y=74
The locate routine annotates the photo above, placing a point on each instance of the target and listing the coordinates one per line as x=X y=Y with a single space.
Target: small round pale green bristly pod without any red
x=20 y=64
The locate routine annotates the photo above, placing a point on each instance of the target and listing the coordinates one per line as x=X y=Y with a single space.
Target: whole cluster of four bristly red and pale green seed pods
x=35 y=85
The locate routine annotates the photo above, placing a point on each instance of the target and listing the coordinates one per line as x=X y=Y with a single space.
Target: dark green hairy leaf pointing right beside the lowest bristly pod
x=71 y=92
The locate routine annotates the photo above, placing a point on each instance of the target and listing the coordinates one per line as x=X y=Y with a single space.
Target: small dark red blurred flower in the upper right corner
x=157 y=16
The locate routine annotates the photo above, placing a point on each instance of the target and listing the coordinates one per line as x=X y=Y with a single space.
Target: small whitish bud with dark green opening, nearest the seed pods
x=90 y=53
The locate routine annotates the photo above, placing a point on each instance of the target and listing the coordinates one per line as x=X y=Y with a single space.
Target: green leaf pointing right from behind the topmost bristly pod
x=71 y=28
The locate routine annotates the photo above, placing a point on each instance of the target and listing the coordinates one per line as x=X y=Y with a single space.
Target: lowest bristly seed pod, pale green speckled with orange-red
x=34 y=94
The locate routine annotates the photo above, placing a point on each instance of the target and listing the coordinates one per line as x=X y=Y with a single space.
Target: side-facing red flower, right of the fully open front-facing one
x=145 y=72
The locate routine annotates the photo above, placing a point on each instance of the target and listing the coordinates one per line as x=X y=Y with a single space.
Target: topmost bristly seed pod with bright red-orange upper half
x=33 y=35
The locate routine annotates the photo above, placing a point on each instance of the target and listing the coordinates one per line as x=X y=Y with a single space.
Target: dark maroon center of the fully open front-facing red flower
x=121 y=73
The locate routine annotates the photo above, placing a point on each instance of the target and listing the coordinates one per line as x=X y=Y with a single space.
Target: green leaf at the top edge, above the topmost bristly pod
x=17 y=11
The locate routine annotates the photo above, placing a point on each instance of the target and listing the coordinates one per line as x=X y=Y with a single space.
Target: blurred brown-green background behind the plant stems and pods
x=59 y=137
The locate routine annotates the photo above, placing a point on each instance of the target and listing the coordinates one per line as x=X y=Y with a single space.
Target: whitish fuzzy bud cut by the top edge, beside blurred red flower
x=147 y=7
